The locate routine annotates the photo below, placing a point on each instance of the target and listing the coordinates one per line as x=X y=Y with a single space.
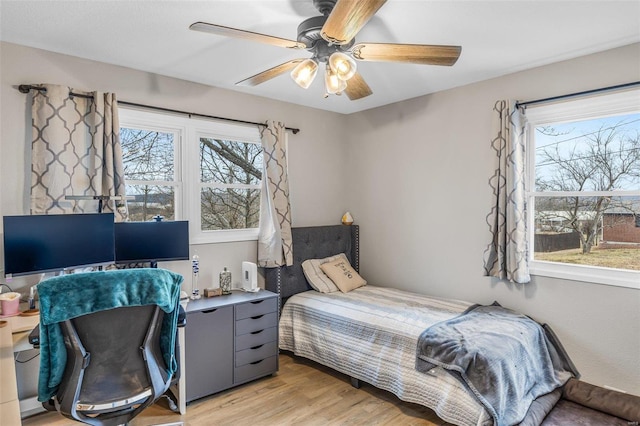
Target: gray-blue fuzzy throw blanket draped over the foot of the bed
x=506 y=359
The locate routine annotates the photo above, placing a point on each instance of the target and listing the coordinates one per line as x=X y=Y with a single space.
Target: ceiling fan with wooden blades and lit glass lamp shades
x=330 y=39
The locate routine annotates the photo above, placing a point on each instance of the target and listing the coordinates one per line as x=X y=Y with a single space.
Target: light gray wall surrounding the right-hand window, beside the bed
x=419 y=174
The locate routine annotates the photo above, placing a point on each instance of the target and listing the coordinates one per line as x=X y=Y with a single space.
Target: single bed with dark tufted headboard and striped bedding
x=371 y=333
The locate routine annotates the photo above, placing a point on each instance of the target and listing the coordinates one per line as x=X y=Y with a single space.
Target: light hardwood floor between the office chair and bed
x=301 y=393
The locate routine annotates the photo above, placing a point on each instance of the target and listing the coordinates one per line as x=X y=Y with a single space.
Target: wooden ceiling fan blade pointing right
x=411 y=53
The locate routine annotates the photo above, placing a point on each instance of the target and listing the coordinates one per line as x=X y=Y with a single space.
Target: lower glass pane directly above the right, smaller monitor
x=150 y=201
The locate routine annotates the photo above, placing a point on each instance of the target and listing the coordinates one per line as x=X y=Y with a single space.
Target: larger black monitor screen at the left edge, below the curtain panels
x=45 y=243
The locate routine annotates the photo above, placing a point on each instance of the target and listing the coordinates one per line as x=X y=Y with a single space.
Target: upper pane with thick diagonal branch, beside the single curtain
x=230 y=162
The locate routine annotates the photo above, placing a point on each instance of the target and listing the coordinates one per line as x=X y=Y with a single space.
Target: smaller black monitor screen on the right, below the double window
x=151 y=241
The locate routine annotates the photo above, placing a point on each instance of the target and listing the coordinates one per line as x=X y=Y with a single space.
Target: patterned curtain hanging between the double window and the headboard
x=275 y=247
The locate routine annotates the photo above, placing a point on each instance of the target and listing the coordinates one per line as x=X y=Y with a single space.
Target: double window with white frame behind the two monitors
x=204 y=171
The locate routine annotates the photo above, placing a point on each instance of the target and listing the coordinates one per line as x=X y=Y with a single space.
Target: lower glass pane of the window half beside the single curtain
x=230 y=208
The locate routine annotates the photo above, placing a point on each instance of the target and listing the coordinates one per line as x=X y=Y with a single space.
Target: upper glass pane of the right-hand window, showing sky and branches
x=601 y=154
